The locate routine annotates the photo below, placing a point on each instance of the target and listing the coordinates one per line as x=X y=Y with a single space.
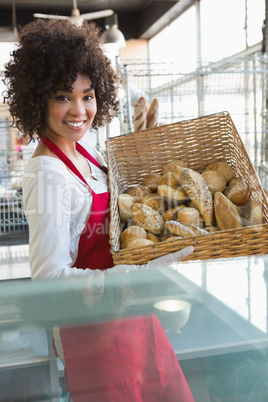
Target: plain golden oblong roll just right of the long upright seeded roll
x=226 y=214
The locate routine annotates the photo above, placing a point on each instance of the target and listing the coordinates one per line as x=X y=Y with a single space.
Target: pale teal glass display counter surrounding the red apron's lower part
x=213 y=312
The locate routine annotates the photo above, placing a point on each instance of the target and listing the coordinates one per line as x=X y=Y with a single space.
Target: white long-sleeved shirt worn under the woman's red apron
x=57 y=205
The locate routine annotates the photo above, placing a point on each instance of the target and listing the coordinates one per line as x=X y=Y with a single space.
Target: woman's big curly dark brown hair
x=50 y=54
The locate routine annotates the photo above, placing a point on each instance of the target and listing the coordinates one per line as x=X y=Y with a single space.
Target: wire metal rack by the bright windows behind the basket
x=237 y=85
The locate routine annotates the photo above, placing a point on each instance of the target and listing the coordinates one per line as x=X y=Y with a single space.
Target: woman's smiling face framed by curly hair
x=71 y=111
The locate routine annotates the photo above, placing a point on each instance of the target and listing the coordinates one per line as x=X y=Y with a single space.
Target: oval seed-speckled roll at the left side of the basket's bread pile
x=147 y=218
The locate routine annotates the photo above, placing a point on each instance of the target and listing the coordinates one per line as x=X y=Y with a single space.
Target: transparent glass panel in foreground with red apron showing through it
x=213 y=313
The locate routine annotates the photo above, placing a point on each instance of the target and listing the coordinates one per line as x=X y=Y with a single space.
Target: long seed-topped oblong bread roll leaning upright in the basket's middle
x=197 y=190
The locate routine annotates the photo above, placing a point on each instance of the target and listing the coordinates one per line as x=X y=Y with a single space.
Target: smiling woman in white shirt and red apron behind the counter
x=59 y=85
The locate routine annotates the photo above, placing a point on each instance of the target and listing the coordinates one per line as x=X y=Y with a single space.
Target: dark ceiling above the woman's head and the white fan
x=136 y=18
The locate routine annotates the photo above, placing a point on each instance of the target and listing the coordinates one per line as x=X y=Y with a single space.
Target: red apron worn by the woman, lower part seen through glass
x=124 y=360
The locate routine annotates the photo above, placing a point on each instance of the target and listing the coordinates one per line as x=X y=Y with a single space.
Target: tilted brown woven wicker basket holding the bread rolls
x=199 y=142
